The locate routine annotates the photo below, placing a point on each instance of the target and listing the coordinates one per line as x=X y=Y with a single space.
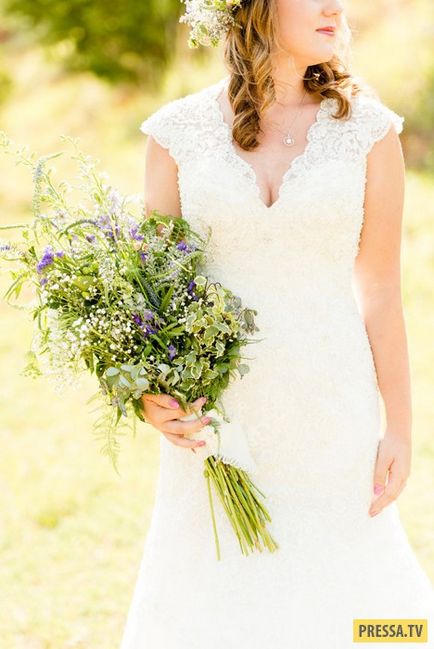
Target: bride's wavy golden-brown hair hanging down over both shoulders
x=247 y=49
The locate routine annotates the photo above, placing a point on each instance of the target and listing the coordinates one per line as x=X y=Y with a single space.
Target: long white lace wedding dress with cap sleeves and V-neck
x=309 y=407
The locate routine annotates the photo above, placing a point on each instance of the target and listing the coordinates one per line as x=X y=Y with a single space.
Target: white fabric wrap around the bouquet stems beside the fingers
x=231 y=448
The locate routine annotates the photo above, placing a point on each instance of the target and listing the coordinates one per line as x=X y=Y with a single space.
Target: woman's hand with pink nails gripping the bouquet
x=163 y=411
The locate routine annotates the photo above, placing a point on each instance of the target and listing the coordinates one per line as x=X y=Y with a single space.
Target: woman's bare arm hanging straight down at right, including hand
x=378 y=287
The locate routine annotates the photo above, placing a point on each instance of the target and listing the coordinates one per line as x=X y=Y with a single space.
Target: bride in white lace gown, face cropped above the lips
x=298 y=170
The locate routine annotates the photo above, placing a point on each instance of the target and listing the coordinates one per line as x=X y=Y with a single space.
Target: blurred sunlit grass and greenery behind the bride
x=72 y=531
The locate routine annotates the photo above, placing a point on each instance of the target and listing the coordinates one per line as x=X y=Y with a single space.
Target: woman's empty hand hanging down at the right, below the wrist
x=393 y=456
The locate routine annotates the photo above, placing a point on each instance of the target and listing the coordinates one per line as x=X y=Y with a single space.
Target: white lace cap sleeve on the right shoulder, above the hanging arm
x=375 y=120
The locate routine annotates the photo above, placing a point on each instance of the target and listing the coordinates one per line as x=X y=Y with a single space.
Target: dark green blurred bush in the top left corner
x=127 y=41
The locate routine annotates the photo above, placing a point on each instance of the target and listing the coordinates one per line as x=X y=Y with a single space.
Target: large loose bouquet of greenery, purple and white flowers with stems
x=127 y=299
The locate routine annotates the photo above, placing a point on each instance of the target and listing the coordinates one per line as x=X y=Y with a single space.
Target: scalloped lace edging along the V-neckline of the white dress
x=247 y=167
